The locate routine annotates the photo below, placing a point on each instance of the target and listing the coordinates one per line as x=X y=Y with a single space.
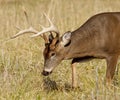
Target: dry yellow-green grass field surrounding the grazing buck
x=21 y=59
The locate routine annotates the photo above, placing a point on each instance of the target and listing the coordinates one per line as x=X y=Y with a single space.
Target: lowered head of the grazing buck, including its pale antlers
x=55 y=46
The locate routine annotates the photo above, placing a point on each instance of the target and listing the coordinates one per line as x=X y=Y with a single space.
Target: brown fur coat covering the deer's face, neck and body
x=99 y=37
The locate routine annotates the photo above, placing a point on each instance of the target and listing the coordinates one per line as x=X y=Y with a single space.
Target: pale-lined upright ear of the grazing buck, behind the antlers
x=66 y=38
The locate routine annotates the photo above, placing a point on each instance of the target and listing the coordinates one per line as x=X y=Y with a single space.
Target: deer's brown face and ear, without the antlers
x=55 y=52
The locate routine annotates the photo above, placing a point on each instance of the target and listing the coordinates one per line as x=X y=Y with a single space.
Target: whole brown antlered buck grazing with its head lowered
x=98 y=37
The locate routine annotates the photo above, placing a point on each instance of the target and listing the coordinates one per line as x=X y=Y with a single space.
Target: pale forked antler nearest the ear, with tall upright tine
x=52 y=28
